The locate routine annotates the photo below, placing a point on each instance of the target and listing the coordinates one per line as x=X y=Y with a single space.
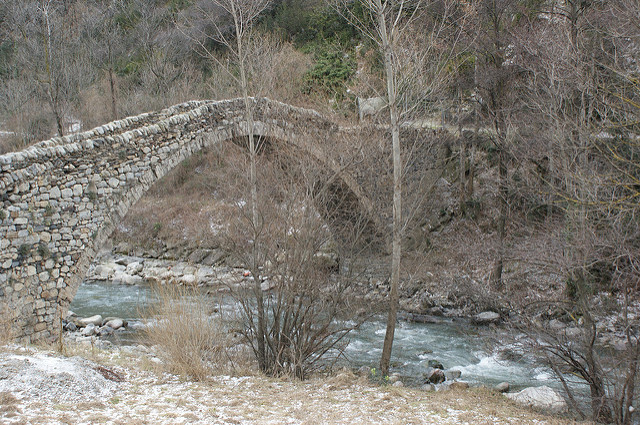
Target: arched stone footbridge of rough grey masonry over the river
x=62 y=198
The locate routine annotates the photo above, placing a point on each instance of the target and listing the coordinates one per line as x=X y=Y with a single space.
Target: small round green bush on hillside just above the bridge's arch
x=331 y=72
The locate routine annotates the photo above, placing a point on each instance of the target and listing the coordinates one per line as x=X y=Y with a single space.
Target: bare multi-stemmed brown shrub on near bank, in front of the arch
x=308 y=306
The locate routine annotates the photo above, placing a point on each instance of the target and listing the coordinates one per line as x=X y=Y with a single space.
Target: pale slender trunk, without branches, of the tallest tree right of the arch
x=397 y=193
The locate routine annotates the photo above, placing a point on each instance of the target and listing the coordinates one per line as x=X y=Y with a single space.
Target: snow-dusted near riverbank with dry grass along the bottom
x=122 y=386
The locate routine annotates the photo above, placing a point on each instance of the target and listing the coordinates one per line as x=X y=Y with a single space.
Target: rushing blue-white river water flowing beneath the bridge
x=456 y=344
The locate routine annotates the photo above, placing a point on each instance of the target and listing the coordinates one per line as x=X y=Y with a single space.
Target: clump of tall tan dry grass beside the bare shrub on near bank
x=191 y=340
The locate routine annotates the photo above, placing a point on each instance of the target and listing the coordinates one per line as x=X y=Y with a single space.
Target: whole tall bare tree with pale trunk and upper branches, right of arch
x=408 y=55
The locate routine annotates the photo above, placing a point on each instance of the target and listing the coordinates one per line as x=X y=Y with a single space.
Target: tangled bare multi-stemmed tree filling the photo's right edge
x=583 y=92
